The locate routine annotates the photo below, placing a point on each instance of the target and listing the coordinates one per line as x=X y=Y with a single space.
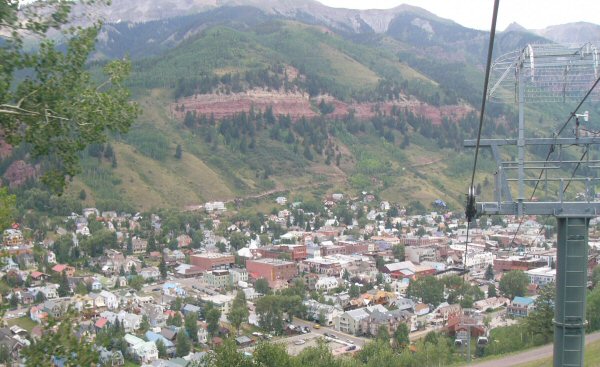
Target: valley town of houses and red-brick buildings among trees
x=165 y=289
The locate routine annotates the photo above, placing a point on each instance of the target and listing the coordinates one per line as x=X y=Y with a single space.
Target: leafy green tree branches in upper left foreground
x=57 y=108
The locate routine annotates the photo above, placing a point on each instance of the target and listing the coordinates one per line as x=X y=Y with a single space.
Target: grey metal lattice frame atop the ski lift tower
x=551 y=73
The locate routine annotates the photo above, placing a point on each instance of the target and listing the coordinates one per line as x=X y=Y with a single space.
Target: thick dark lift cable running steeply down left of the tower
x=470 y=210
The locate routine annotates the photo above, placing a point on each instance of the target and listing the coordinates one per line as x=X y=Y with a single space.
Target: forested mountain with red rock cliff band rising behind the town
x=266 y=97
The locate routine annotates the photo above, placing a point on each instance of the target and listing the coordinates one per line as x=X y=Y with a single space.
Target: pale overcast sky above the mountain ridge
x=532 y=14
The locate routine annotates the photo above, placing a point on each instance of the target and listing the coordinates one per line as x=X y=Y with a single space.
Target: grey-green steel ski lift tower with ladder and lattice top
x=551 y=73
